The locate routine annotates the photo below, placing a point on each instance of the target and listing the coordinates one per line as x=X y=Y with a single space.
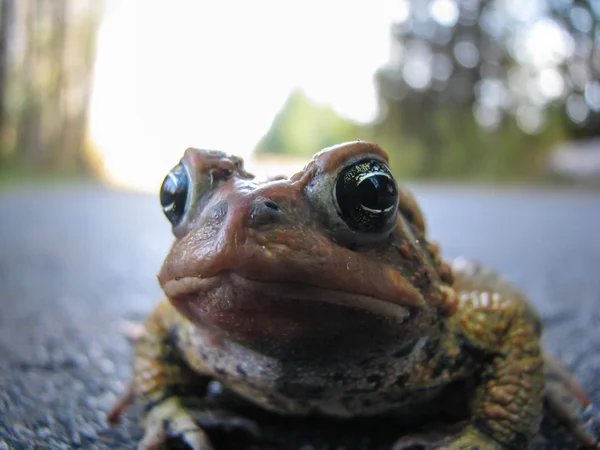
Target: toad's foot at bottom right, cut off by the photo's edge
x=468 y=439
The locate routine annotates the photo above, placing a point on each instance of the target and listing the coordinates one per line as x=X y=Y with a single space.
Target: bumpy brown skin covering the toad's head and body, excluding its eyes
x=270 y=292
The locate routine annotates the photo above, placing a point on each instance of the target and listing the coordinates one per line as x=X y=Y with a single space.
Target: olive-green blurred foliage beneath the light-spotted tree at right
x=451 y=144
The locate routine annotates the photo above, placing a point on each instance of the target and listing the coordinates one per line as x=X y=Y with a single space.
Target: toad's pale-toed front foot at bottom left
x=170 y=421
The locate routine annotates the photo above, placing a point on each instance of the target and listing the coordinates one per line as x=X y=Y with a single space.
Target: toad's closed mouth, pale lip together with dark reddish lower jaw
x=255 y=309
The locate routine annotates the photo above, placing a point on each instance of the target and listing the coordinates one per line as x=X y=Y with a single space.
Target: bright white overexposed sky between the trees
x=213 y=73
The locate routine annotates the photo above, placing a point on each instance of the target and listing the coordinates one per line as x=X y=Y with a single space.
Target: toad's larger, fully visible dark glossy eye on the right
x=366 y=196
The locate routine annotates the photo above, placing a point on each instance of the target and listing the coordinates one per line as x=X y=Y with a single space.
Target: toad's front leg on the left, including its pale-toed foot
x=170 y=393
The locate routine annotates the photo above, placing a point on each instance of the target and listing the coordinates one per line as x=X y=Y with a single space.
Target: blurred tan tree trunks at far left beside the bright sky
x=50 y=52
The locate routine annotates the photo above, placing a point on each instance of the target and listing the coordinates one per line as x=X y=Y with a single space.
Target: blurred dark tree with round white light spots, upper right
x=481 y=87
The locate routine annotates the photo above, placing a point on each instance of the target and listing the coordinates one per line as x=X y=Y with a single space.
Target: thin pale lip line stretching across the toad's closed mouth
x=287 y=290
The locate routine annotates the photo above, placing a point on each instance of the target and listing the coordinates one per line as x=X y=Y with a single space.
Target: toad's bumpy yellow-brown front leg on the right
x=507 y=404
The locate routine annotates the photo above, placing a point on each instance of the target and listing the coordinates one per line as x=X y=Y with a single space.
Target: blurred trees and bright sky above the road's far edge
x=498 y=90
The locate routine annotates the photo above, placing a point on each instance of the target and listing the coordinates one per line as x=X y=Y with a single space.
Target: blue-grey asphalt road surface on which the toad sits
x=76 y=261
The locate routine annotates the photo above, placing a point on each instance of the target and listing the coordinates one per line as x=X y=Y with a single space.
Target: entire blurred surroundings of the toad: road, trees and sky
x=477 y=102
